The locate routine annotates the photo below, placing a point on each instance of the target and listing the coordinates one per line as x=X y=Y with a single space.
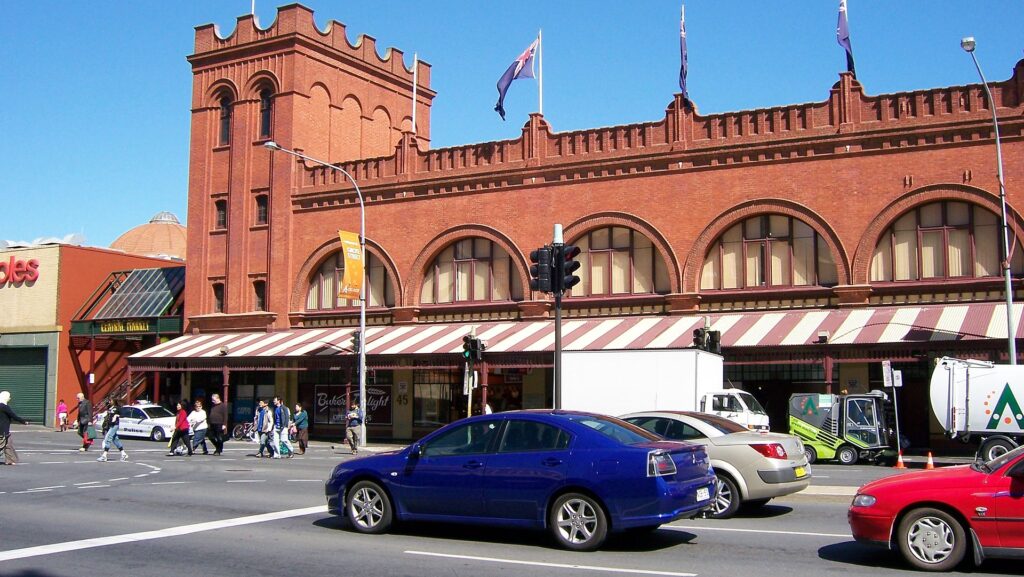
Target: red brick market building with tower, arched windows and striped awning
x=820 y=238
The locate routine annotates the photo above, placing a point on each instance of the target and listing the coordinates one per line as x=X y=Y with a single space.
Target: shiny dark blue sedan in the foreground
x=581 y=476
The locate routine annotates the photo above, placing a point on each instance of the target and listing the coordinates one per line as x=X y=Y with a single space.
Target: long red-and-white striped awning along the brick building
x=906 y=324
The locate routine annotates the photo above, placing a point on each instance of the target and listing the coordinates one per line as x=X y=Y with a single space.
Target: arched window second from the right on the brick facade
x=769 y=251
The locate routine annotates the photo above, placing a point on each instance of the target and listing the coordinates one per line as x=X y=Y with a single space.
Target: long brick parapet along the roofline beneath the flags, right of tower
x=848 y=122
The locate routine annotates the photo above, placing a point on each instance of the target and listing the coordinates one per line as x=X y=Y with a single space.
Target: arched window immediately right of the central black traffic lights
x=619 y=261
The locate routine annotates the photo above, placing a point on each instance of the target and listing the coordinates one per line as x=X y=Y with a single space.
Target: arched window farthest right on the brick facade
x=943 y=240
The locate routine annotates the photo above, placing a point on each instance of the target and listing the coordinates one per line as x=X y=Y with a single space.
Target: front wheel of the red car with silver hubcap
x=932 y=540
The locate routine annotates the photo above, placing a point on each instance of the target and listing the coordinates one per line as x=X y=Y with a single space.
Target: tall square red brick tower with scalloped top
x=307 y=90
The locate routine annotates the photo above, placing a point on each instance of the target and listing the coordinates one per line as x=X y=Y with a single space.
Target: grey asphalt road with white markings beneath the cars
x=63 y=514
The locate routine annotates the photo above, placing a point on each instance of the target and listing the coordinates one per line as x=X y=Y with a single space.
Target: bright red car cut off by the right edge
x=935 y=517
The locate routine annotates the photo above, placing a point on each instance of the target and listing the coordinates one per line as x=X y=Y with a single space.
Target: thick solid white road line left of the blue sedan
x=159 y=534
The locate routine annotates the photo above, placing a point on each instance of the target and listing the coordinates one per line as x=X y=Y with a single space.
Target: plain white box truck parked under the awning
x=616 y=383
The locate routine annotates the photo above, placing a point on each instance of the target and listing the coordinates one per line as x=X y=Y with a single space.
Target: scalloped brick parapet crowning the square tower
x=296 y=22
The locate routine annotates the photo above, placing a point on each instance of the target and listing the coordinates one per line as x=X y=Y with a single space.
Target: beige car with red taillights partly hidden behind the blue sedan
x=752 y=468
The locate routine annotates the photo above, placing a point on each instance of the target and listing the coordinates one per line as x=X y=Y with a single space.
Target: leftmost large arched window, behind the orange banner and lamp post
x=326 y=282
